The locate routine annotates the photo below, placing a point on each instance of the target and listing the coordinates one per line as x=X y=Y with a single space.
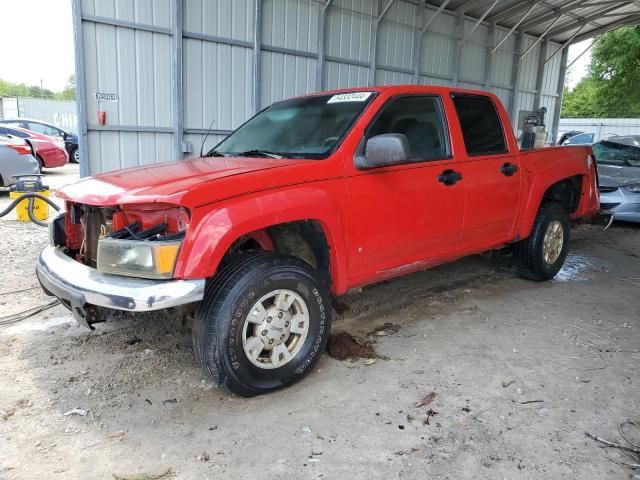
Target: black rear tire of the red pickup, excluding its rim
x=529 y=252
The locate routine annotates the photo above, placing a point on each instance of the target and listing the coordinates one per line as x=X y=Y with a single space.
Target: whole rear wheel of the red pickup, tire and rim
x=542 y=255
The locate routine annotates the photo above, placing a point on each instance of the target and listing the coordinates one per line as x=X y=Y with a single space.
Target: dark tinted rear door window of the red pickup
x=481 y=126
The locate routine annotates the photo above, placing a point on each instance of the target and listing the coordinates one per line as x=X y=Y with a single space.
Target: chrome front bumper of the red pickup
x=77 y=285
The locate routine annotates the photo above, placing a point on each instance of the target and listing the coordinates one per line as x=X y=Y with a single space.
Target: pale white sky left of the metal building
x=37 y=36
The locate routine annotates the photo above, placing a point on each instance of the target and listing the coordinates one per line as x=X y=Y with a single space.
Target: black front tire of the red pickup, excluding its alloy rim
x=230 y=296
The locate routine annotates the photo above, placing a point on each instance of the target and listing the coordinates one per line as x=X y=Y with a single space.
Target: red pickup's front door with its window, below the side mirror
x=400 y=216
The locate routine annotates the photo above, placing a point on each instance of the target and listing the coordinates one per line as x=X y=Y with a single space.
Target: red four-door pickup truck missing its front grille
x=312 y=197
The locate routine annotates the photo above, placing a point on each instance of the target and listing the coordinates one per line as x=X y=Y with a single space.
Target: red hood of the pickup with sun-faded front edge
x=165 y=182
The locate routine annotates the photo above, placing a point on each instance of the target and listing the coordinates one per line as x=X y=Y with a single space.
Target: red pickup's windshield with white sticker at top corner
x=308 y=127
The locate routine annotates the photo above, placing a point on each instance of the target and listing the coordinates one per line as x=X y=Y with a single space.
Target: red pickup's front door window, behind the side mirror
x=420 y=118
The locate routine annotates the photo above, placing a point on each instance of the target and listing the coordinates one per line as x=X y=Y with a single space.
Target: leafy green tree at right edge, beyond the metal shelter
x=611 y=86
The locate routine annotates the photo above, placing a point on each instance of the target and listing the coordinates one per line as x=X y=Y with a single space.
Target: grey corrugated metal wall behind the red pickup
x=176 y=66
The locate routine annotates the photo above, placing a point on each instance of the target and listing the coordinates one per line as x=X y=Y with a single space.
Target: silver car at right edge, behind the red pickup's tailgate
x=619 y=172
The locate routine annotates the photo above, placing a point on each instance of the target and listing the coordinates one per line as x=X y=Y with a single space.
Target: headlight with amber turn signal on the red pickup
x=138 y=258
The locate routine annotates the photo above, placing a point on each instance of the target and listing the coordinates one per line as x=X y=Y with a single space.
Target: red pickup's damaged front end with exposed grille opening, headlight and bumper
x=117 y=257
